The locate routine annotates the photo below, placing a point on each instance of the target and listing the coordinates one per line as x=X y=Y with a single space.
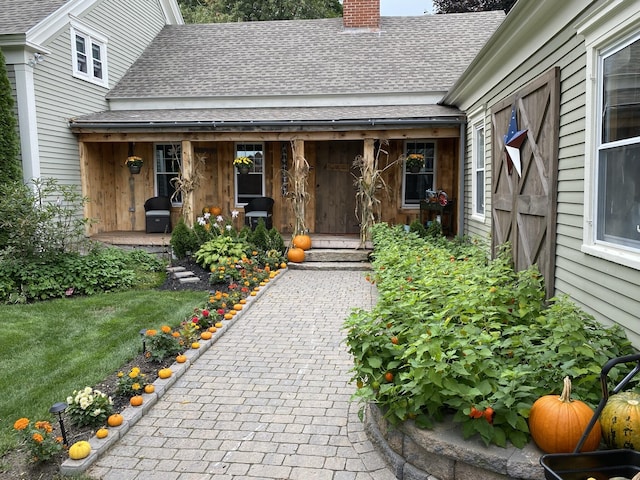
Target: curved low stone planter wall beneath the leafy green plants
x=415 y=454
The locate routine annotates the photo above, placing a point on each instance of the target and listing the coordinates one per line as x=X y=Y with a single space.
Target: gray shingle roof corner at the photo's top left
x=18 y=16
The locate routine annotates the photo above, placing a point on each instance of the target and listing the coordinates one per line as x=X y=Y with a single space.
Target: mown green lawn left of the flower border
x=48 y=349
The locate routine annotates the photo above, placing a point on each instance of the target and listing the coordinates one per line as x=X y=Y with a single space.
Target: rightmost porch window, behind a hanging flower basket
x=415 y=185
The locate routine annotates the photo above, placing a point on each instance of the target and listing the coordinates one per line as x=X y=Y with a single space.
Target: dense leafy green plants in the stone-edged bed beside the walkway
x=454 y=334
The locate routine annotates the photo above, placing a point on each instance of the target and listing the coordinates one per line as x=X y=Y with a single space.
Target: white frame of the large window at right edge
x=604 y=31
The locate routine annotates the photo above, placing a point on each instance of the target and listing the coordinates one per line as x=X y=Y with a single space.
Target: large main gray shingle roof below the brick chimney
x=307 y=57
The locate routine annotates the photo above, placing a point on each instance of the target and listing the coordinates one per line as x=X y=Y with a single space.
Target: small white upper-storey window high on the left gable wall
x=89 y=54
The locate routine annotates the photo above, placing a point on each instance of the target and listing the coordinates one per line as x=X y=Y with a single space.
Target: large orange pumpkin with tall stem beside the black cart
x=557 y=423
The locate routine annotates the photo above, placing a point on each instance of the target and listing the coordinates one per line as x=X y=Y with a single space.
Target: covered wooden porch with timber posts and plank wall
x=205 y=165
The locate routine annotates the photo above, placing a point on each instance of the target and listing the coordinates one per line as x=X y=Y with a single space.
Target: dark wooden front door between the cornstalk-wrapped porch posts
x=335 y=190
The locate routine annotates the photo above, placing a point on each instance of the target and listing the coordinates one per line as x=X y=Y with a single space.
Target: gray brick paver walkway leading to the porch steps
x=269 y=400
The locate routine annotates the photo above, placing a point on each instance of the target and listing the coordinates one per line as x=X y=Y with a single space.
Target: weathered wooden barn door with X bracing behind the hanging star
x=524 y=206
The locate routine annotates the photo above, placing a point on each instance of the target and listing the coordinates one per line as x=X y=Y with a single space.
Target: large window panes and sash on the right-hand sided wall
x=618 y=147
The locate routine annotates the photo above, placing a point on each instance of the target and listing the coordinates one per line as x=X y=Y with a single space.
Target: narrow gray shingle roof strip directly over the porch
x=219 y=116
